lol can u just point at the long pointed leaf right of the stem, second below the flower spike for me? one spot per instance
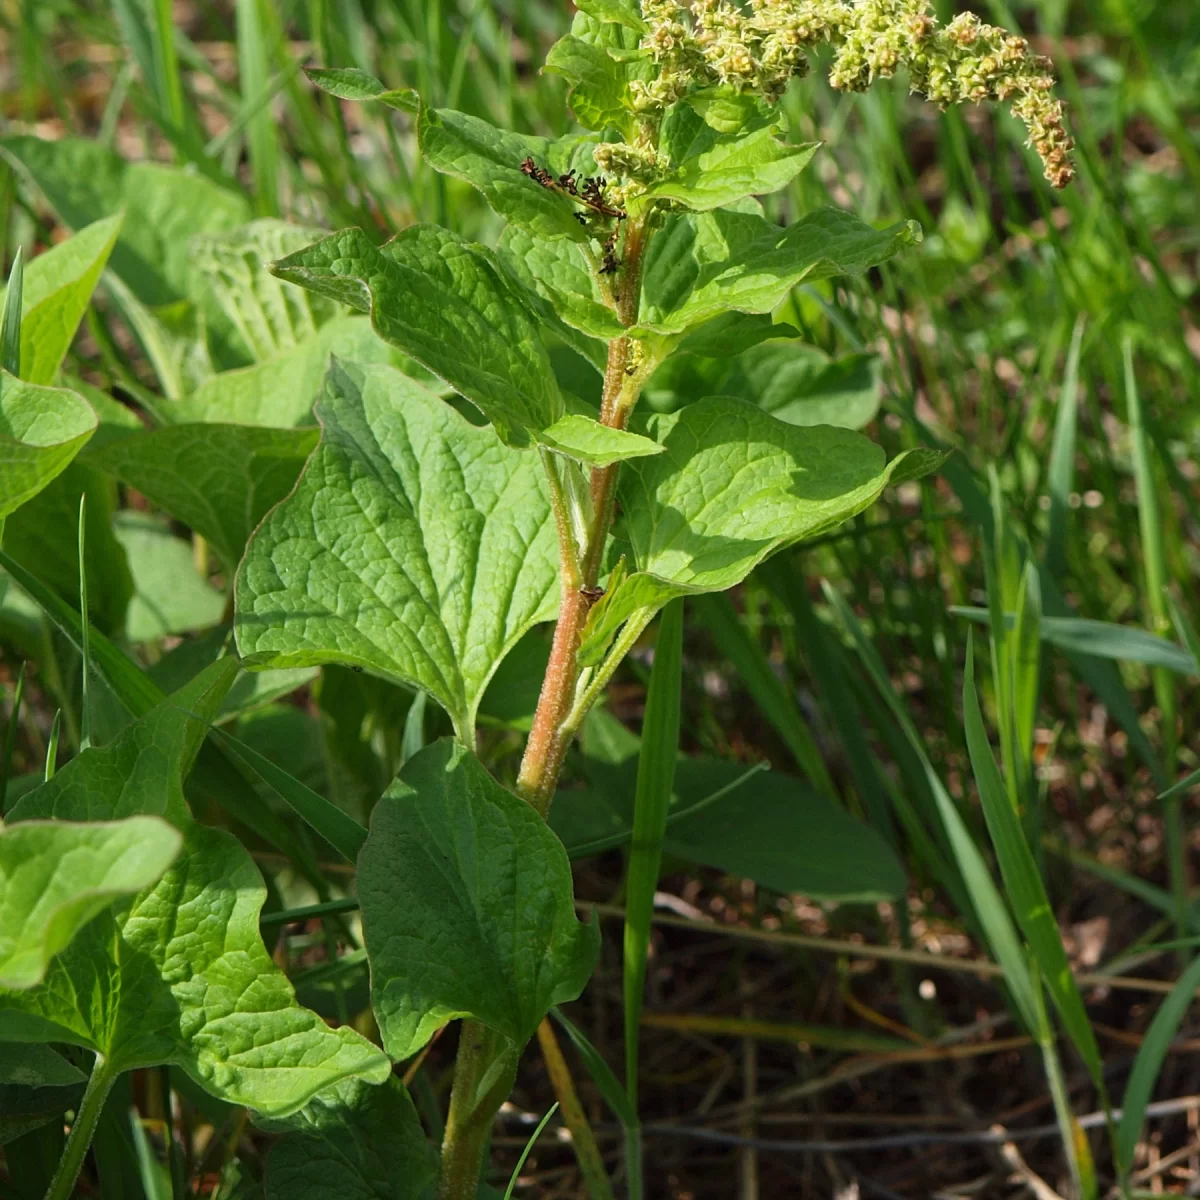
(704, 265)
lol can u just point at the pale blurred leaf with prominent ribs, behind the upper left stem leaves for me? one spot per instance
(271, 316)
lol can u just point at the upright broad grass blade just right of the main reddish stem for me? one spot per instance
(656, 779)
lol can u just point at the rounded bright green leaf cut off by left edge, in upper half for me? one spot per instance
(41, 431)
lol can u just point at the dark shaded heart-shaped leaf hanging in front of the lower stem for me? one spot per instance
(467, 907)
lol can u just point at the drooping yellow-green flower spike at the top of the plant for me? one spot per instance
(760, 47)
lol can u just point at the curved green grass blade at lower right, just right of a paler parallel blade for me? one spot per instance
(1023, 883)
